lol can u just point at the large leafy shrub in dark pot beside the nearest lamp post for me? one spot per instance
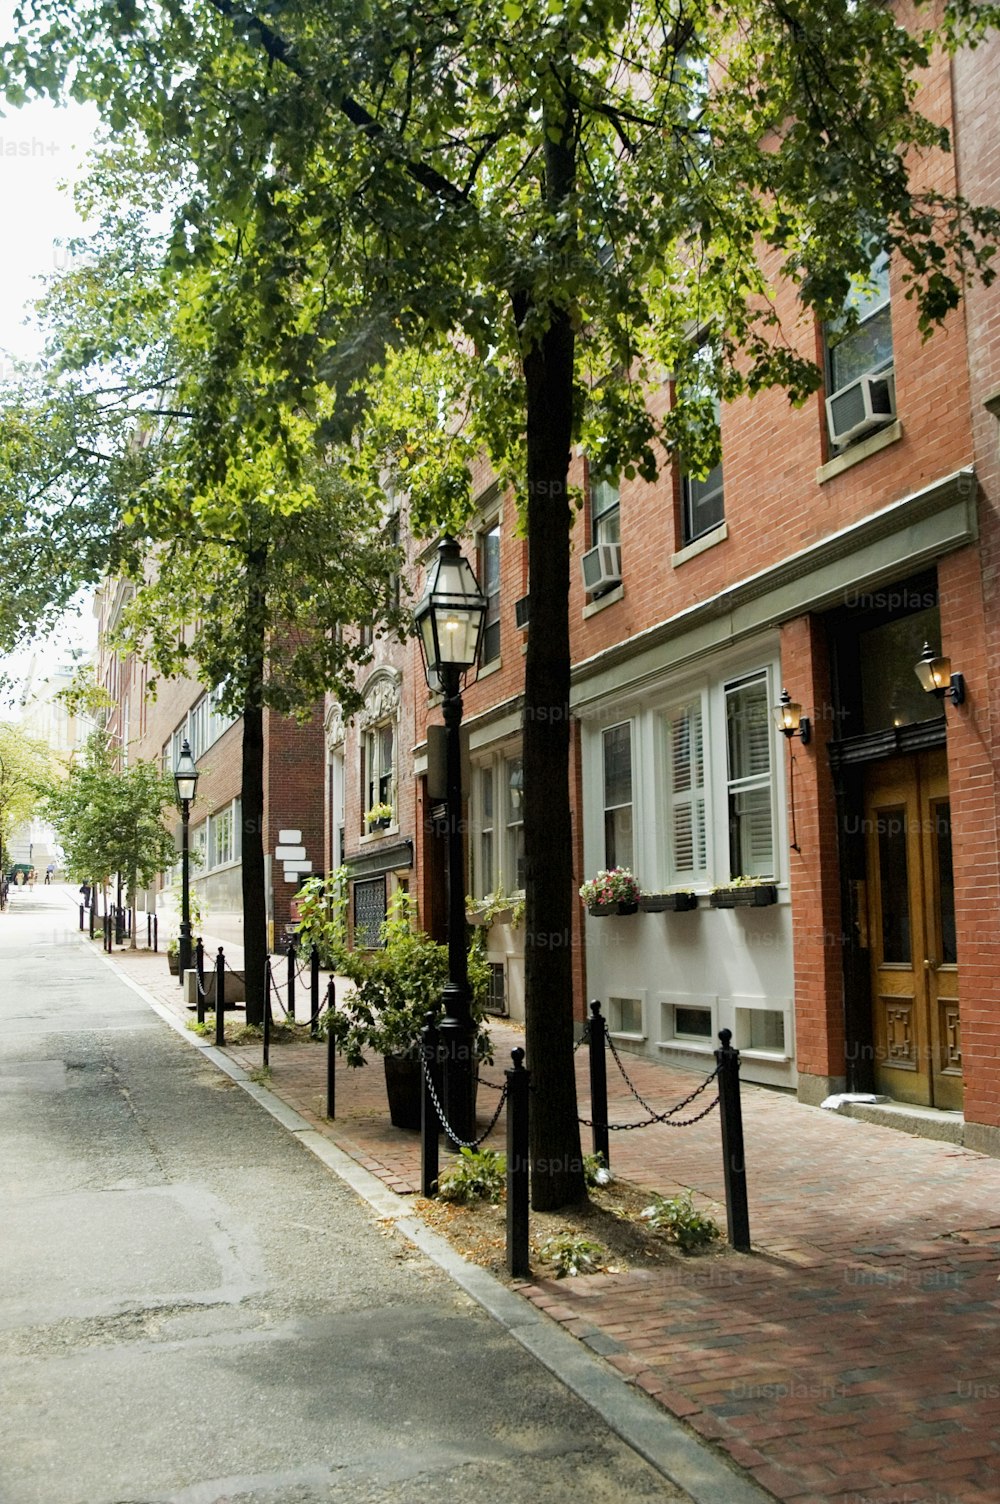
(395, 989)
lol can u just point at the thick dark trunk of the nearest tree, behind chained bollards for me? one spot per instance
(557, 1168)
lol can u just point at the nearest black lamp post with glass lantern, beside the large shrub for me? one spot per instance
(450, 620)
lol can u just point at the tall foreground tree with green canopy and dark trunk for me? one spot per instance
(563, 195)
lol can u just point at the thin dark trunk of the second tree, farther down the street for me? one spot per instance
(253, 863)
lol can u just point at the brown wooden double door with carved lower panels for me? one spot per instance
(912, 932)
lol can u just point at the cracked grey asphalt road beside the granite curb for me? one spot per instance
(193, 1309)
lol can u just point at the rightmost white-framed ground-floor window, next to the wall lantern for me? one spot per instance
(750, 778)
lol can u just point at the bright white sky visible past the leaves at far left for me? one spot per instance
(43, 150)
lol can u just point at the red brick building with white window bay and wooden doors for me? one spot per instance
(831, 547)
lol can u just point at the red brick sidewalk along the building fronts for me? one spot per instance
(853, 1359)
